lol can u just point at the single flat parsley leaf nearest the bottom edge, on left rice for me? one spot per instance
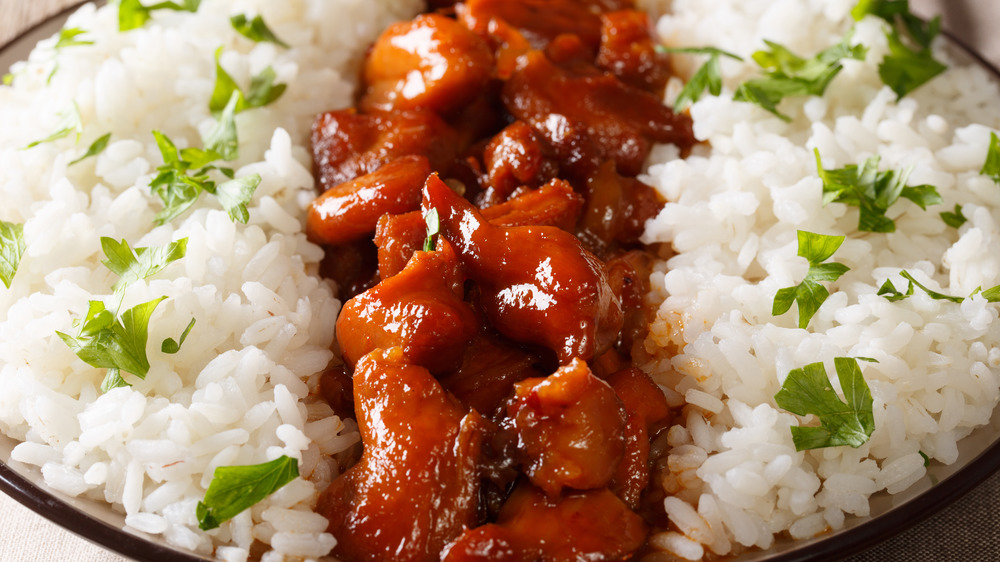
(236, 488)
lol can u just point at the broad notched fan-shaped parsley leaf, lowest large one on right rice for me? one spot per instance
(808, 391)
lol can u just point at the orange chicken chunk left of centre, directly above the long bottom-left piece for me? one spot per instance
(420, 310)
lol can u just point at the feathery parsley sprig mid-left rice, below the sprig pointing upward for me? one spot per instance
(184, 175)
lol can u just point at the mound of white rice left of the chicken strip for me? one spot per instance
(236, 392)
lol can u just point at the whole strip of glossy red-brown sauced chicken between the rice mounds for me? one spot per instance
(481, 218)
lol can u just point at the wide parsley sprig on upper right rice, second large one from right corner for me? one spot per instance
(788, 74)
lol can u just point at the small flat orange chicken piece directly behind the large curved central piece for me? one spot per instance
(553, 204)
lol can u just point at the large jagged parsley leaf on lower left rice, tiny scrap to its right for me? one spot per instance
(105, 342)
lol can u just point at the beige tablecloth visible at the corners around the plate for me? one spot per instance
(968, 530)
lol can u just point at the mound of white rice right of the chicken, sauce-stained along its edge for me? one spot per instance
(737, 478)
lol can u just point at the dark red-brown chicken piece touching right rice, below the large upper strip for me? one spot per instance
(617, 210)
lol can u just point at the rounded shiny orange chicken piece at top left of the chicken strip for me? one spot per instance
(431, 62)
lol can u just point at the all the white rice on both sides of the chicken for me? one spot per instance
(237, 393)
